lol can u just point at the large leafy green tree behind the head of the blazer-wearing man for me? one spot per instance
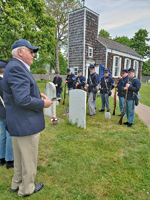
(26, 19)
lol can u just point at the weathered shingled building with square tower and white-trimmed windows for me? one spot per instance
(85, 47)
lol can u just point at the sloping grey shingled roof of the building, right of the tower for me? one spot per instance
(111, 44)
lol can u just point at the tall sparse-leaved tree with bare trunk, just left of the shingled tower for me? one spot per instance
(59, 9)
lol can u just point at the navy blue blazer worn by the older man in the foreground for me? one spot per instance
(24, 106)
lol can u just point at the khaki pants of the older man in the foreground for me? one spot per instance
(25, 163)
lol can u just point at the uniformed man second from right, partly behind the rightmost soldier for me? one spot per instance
(121, 92)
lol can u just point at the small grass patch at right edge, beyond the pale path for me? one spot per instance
(145, 94)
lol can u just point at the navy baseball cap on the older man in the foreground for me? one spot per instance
(26, 43)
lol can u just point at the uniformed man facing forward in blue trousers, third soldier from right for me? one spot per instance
(107, 84)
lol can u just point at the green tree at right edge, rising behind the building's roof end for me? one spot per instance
(139, 43)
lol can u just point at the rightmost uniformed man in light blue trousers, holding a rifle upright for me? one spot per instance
(133, 87)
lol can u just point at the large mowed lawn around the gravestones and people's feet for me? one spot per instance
(105, 161)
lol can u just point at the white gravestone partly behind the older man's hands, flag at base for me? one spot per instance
(50, 92)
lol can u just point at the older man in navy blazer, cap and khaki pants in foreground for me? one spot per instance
(24, 116)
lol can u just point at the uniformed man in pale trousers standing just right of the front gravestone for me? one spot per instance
(92, 82)
